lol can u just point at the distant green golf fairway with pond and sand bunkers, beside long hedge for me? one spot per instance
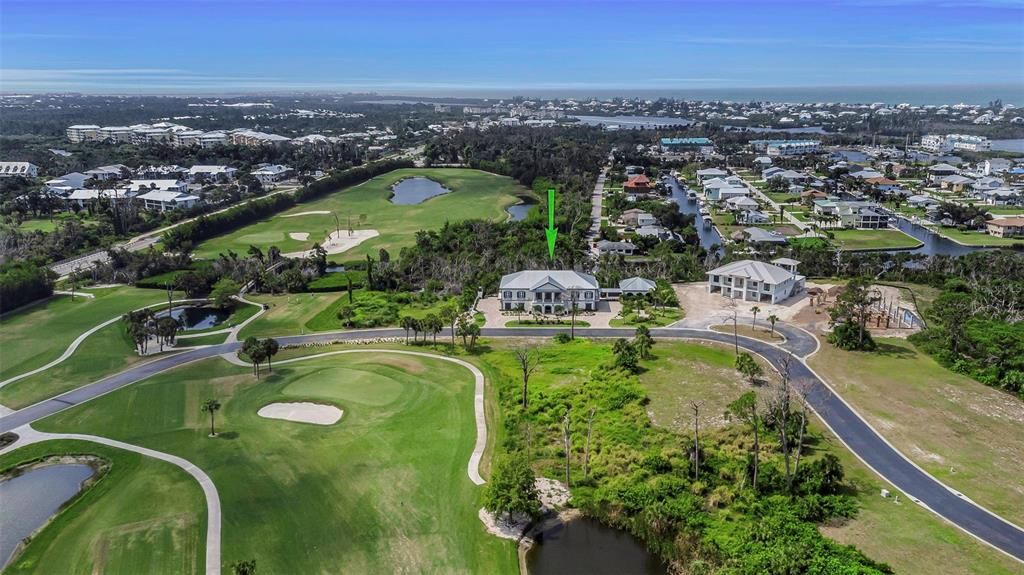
(475, 195)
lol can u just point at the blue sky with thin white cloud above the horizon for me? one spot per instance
(146, 47)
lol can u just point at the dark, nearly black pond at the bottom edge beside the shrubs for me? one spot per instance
(584, 546)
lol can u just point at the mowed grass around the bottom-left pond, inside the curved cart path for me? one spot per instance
(144, 516)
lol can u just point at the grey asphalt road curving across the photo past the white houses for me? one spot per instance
(854, 431)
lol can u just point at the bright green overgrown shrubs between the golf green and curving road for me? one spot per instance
(743, 500)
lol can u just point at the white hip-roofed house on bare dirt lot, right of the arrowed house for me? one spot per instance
(757, 282)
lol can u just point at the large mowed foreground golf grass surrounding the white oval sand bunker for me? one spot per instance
(385, 491)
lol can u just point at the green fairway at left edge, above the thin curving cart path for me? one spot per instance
(40, 334)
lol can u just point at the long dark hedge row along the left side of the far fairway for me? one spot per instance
(206, 228)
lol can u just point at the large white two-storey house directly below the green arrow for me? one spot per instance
(548, 291)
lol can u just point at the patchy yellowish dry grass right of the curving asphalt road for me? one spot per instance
(964, 433)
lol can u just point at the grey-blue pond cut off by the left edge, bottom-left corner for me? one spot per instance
(31, 499)
